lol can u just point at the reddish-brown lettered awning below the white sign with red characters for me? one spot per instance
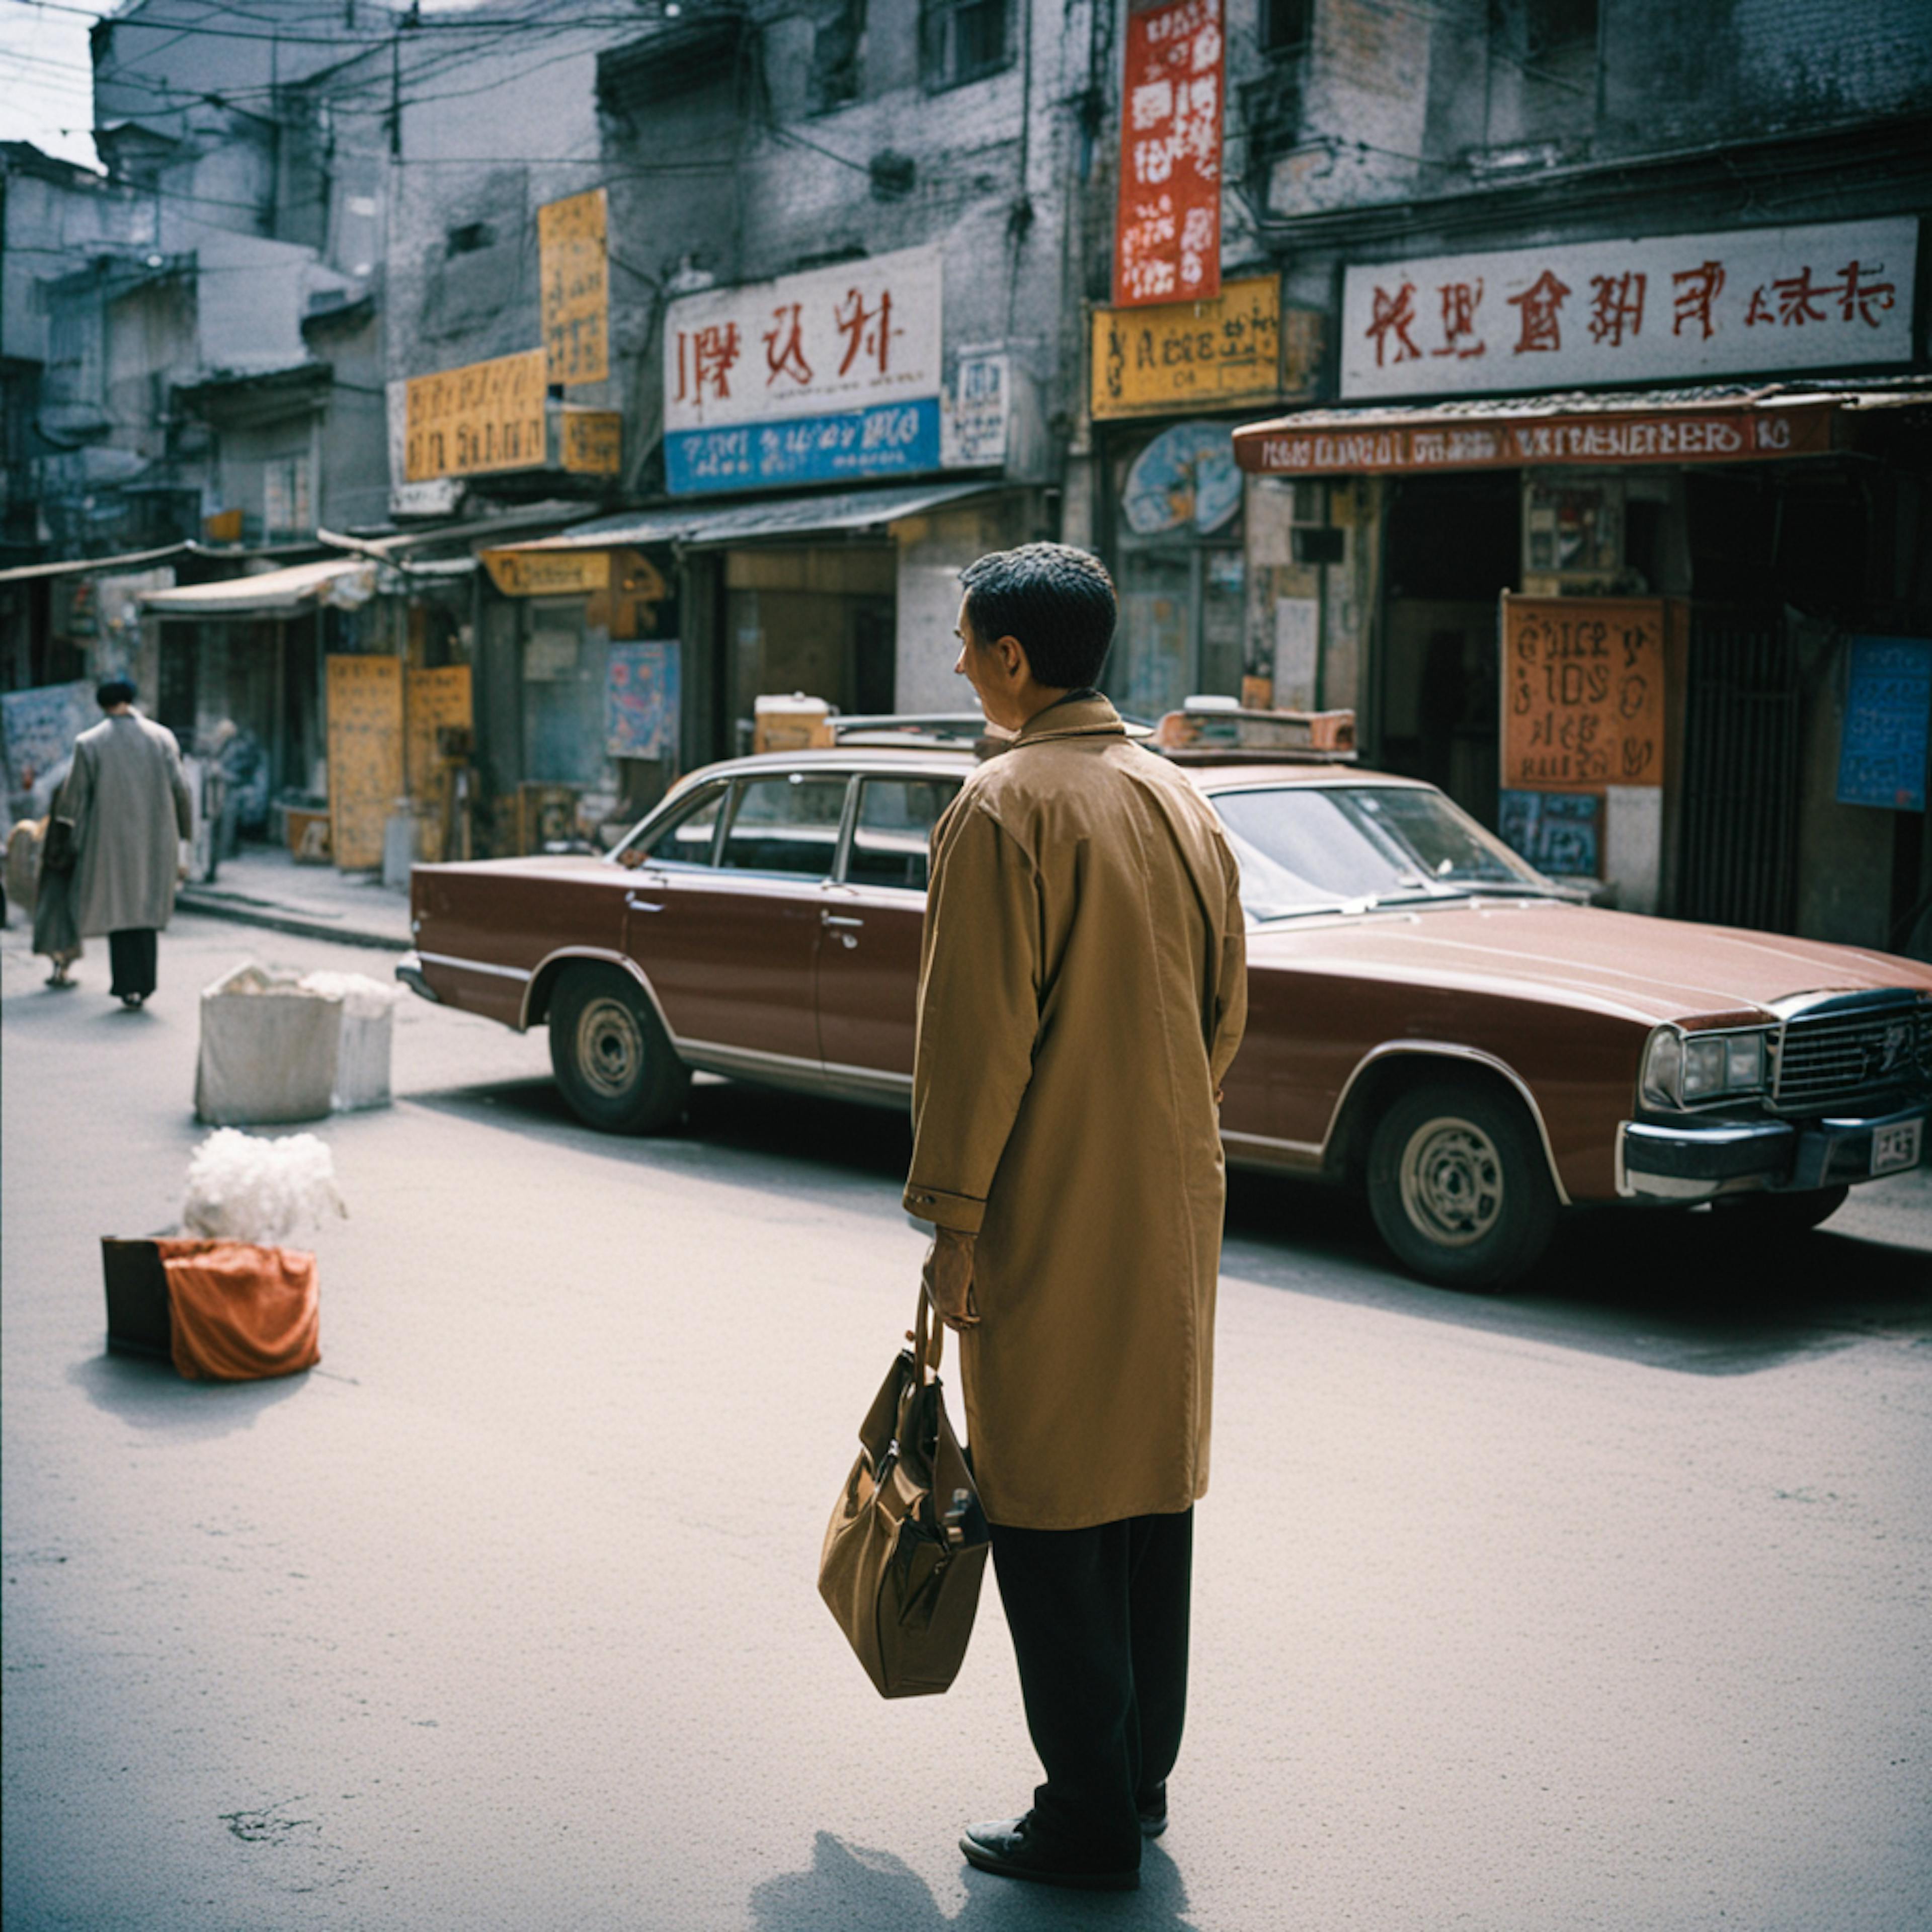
(1659, 428)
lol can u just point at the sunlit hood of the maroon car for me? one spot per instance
(1624, 963)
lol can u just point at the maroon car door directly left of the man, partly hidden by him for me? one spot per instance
(872, 917)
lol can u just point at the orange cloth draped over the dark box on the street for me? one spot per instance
(239, 1313)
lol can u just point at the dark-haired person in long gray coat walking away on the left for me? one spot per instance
(130, 807)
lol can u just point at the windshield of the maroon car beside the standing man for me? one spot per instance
(1319, 847)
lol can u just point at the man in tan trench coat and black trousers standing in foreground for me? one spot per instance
(1083, 990)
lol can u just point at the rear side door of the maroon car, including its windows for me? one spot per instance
(729, 928)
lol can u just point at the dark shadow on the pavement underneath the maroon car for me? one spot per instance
(1662, 1288)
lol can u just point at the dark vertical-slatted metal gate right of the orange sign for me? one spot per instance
(1740, 841)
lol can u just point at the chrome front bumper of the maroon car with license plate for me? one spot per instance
(1695, 1164)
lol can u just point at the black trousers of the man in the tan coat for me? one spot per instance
(1100, 1626)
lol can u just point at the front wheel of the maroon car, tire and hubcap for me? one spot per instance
(1460, 1185)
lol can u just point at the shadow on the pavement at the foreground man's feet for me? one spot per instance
(855, 1890)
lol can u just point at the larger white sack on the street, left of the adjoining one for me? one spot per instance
(270, 1050)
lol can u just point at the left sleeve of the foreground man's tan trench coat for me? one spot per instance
(979, 1017)
